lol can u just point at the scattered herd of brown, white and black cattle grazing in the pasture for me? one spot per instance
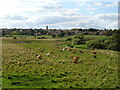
(75, 59)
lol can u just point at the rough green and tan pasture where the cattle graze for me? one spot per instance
(21, 68)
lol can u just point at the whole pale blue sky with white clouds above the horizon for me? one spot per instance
(59, 14)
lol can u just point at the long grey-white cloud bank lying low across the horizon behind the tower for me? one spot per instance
(96, 21)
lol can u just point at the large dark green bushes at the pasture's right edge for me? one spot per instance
(103, 43)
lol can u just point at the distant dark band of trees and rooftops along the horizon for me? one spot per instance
(55, 32)
